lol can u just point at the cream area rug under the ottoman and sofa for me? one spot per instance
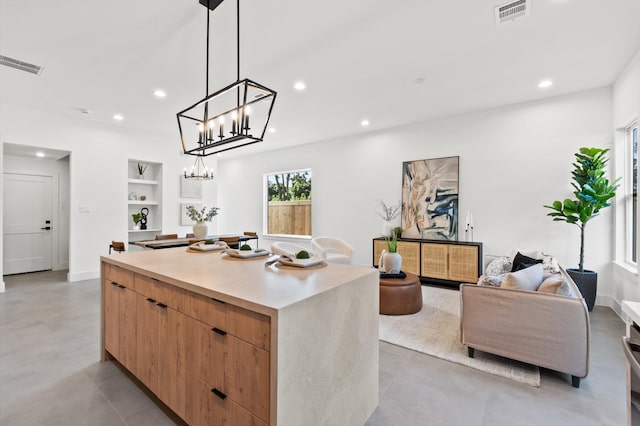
(435, 331)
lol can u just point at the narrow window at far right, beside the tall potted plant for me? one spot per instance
(631, 191)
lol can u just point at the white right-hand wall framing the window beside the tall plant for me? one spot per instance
(626, 108)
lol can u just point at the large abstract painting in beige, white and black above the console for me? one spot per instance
(430, 199)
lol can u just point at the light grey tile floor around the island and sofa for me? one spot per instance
(50, 373)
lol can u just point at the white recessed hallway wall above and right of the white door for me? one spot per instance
(60, 222)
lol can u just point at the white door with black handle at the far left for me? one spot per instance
(27, 215)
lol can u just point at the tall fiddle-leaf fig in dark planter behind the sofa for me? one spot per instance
(592, 193)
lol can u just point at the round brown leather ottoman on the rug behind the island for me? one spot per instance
(400, 296)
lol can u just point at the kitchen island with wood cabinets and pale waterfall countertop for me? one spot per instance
(220, 339)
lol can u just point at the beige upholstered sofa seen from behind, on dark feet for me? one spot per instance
(547, 330)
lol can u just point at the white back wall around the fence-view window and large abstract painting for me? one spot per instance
(513, 160)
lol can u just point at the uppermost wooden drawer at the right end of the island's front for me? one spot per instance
(242, 323)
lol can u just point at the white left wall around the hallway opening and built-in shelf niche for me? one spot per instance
(98, 178)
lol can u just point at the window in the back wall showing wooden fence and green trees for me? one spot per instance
(288, 203)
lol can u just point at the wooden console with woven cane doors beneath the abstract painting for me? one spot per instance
(440, 261)
